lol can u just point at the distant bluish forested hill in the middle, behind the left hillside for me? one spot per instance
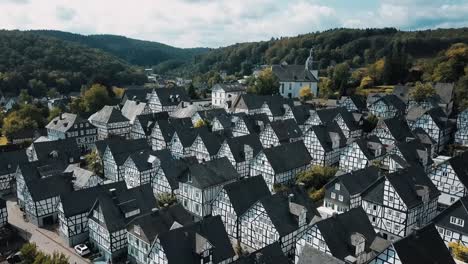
(138, 52)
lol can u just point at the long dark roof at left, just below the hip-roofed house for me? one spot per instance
(64, 150)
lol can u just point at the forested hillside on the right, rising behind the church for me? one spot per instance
(355, 46)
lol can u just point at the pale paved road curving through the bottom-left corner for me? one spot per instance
(46, 240)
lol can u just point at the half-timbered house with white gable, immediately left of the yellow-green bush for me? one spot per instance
(281, 164)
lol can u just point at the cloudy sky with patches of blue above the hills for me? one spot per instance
(214, 23)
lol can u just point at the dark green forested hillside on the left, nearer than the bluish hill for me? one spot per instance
(38, 63)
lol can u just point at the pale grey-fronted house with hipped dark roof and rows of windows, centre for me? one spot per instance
(201, 183)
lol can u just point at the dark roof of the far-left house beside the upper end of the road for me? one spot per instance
(52, 186)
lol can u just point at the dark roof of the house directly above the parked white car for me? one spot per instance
(81, 201)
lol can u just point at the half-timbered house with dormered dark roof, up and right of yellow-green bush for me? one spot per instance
(362, 153)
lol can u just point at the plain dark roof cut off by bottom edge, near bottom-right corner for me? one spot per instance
(423, 246)
